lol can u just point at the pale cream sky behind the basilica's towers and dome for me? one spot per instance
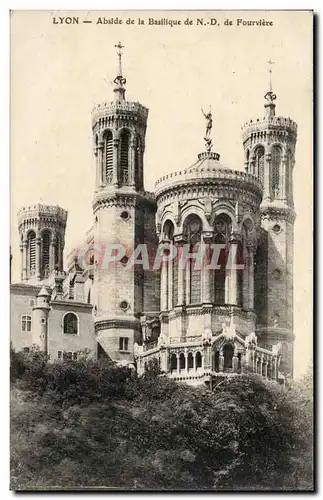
(60, 71)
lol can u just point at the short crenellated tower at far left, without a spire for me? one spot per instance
(42, 236)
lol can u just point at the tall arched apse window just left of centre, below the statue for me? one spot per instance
(193, 232)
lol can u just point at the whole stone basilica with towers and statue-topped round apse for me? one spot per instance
(196, 322)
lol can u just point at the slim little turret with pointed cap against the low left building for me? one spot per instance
(40, 323)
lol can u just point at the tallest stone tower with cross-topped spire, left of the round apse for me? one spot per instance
(124, 215)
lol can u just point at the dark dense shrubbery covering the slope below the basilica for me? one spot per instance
(88, 424)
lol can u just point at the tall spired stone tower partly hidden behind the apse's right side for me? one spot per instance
(269, 149)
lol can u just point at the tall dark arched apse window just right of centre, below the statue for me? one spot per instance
(222, 228)
